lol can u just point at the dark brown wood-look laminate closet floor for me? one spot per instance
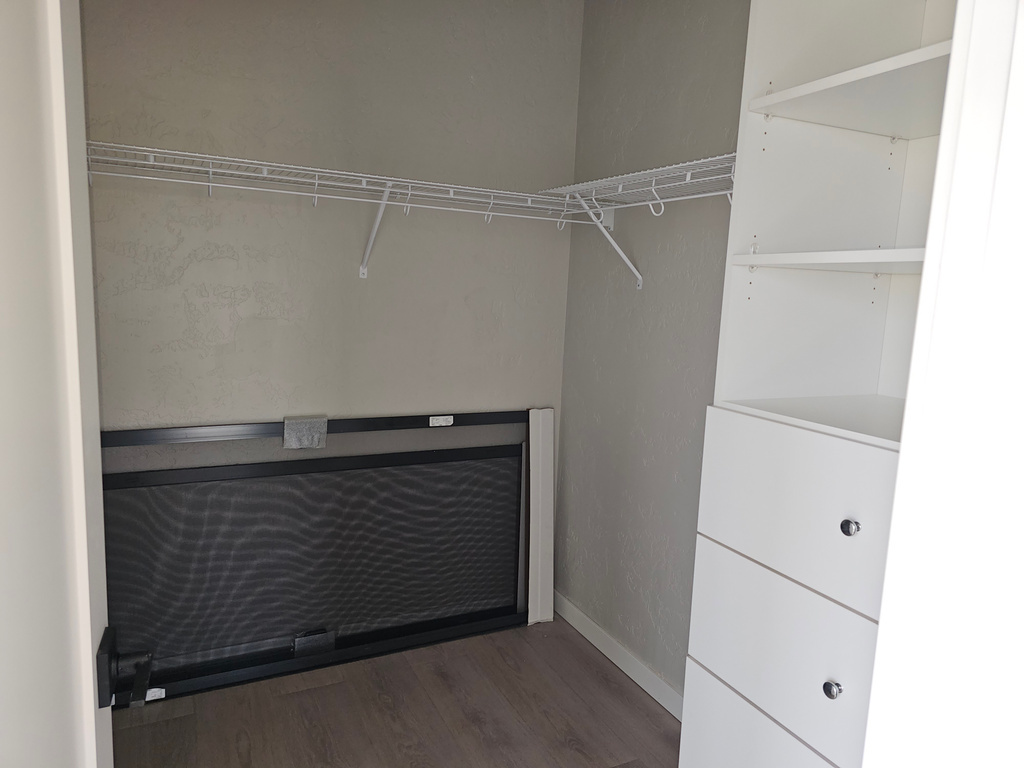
(526, 698)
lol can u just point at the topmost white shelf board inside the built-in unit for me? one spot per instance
(899, 97)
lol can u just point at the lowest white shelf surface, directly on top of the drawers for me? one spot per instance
(875, 419)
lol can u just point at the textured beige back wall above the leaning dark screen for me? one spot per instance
(249, 308)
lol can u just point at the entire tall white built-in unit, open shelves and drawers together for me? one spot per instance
(836, 161)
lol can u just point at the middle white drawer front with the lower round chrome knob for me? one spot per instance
(778, 644)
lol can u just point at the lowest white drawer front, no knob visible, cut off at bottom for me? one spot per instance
(721, 731)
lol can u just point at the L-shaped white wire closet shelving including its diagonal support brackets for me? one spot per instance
(591, 203)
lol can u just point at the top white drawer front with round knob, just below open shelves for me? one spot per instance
(780, 494)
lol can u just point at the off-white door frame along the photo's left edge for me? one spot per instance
(53, 586)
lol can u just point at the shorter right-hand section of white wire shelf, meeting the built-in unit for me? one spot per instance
(698, 179)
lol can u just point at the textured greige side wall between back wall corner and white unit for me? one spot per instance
(661, 84)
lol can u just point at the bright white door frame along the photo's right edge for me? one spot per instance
(949, 673)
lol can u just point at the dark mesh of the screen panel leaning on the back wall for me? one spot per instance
(197, 569)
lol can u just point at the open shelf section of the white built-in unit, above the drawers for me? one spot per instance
(827, 243)
